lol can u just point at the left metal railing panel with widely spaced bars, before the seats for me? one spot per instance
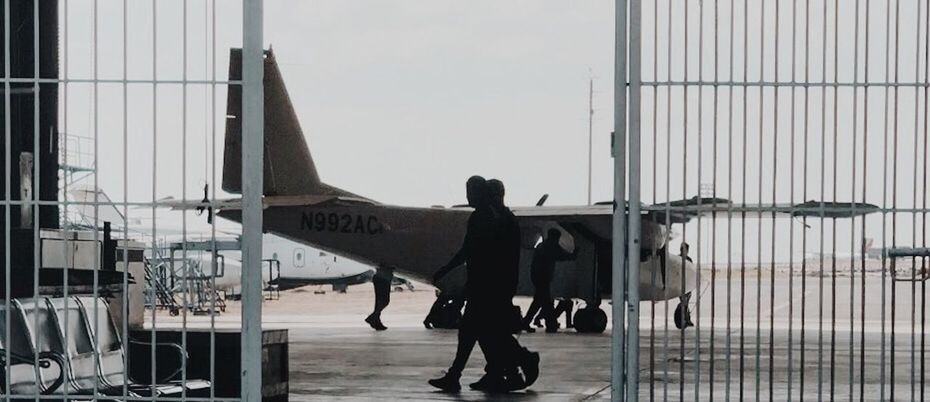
(104, 71)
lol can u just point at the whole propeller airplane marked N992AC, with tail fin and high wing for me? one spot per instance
(415, 241)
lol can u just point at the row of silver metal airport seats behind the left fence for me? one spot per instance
(62, 331)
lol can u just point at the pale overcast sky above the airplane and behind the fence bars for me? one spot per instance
(402, 100)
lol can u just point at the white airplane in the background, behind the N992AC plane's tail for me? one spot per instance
(289, 264)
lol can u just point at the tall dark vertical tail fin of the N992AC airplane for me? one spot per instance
(288, 166)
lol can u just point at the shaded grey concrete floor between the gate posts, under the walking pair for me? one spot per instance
(332, 365)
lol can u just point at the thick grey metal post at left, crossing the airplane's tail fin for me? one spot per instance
(252, 168)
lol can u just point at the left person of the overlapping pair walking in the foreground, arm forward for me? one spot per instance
(476, 254)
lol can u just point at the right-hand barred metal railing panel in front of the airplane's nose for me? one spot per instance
(771, 105)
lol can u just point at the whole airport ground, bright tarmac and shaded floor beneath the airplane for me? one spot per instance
(757, 354)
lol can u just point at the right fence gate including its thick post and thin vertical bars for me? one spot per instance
(899, 21)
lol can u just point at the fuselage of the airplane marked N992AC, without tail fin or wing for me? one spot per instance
(417, 241)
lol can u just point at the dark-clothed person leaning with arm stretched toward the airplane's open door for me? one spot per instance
(542, 268)
